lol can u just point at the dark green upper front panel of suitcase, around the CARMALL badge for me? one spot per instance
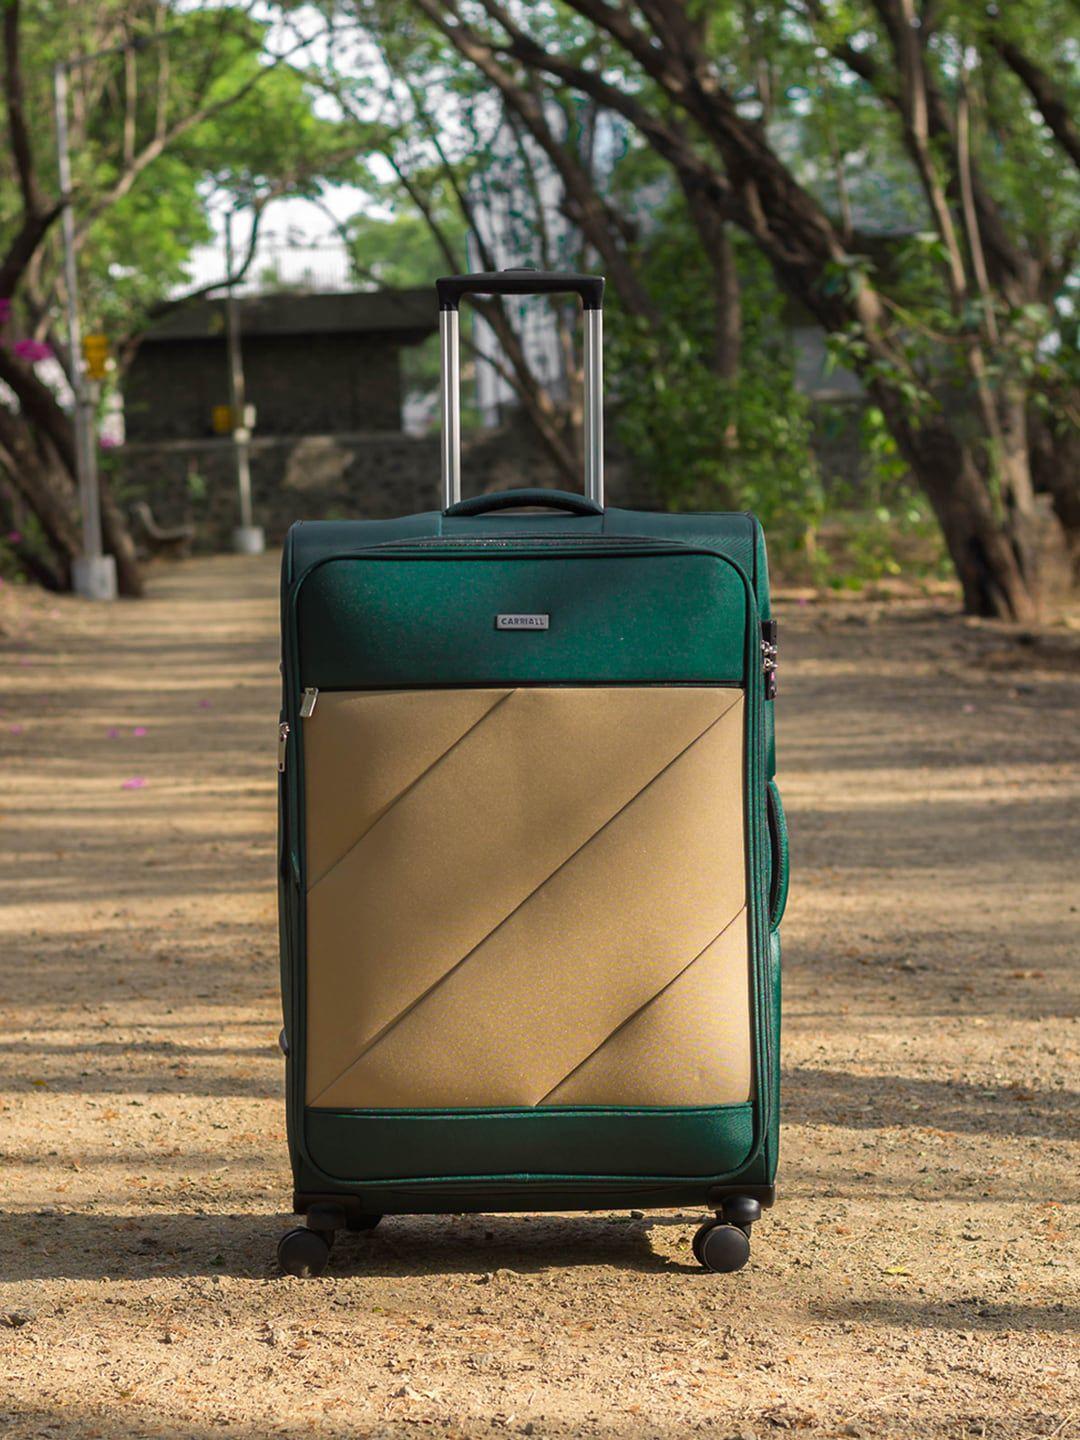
(431, 621)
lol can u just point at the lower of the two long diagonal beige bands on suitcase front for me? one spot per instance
(595, 941)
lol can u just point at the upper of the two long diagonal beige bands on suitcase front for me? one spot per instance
(467, 846)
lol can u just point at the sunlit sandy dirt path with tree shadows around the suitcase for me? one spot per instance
(919, 1277)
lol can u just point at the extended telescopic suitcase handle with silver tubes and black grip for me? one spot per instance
(450, 290)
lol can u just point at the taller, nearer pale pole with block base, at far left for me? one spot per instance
(93, 572)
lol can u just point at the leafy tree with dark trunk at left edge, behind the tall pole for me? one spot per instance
(204, 99)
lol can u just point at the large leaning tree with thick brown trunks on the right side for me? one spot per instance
(954, 326)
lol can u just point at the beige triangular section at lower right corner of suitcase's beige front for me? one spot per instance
(688, 1046)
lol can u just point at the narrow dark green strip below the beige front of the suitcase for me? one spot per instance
(371, 1146)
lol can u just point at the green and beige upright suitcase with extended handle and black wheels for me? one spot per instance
(532, 855)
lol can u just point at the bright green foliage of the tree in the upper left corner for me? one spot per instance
(258, 132)
